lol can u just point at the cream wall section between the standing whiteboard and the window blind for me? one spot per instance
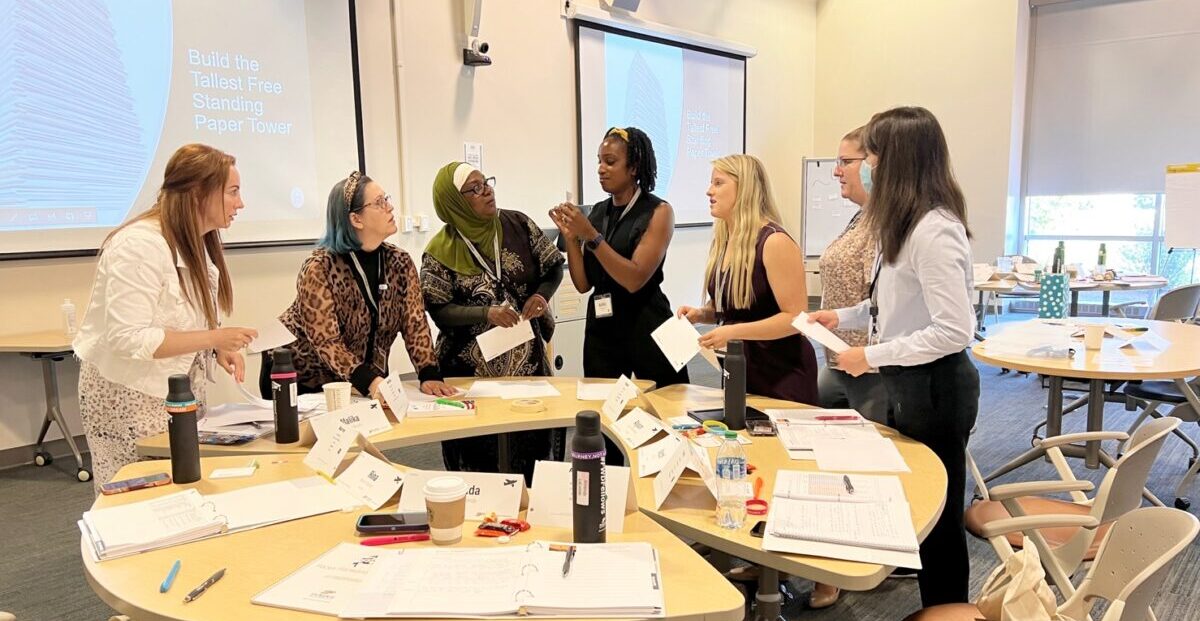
(961, 59)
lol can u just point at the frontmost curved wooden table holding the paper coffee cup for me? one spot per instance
(257, 559)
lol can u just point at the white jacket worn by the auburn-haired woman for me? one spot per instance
(135, 302)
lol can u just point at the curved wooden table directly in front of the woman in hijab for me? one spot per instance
(491, 417)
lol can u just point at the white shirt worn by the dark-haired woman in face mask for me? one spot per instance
(925, 298)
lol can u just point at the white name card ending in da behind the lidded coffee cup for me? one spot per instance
(487, 492)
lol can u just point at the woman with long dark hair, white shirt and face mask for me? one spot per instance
(920, 317)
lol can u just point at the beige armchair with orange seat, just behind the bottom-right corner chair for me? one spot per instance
(1066, 547)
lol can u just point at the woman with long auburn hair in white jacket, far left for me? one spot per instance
(161, 284)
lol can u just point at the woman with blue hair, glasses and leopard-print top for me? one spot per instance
(355, 296)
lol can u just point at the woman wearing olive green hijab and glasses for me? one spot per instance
(489, 268)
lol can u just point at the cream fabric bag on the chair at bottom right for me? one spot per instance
(1018, 592)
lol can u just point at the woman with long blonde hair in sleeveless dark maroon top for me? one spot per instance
(755, 284)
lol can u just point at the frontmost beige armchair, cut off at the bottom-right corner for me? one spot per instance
(1130, 569)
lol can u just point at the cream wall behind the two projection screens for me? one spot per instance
(421, 105)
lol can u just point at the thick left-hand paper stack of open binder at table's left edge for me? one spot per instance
(152, 524)
